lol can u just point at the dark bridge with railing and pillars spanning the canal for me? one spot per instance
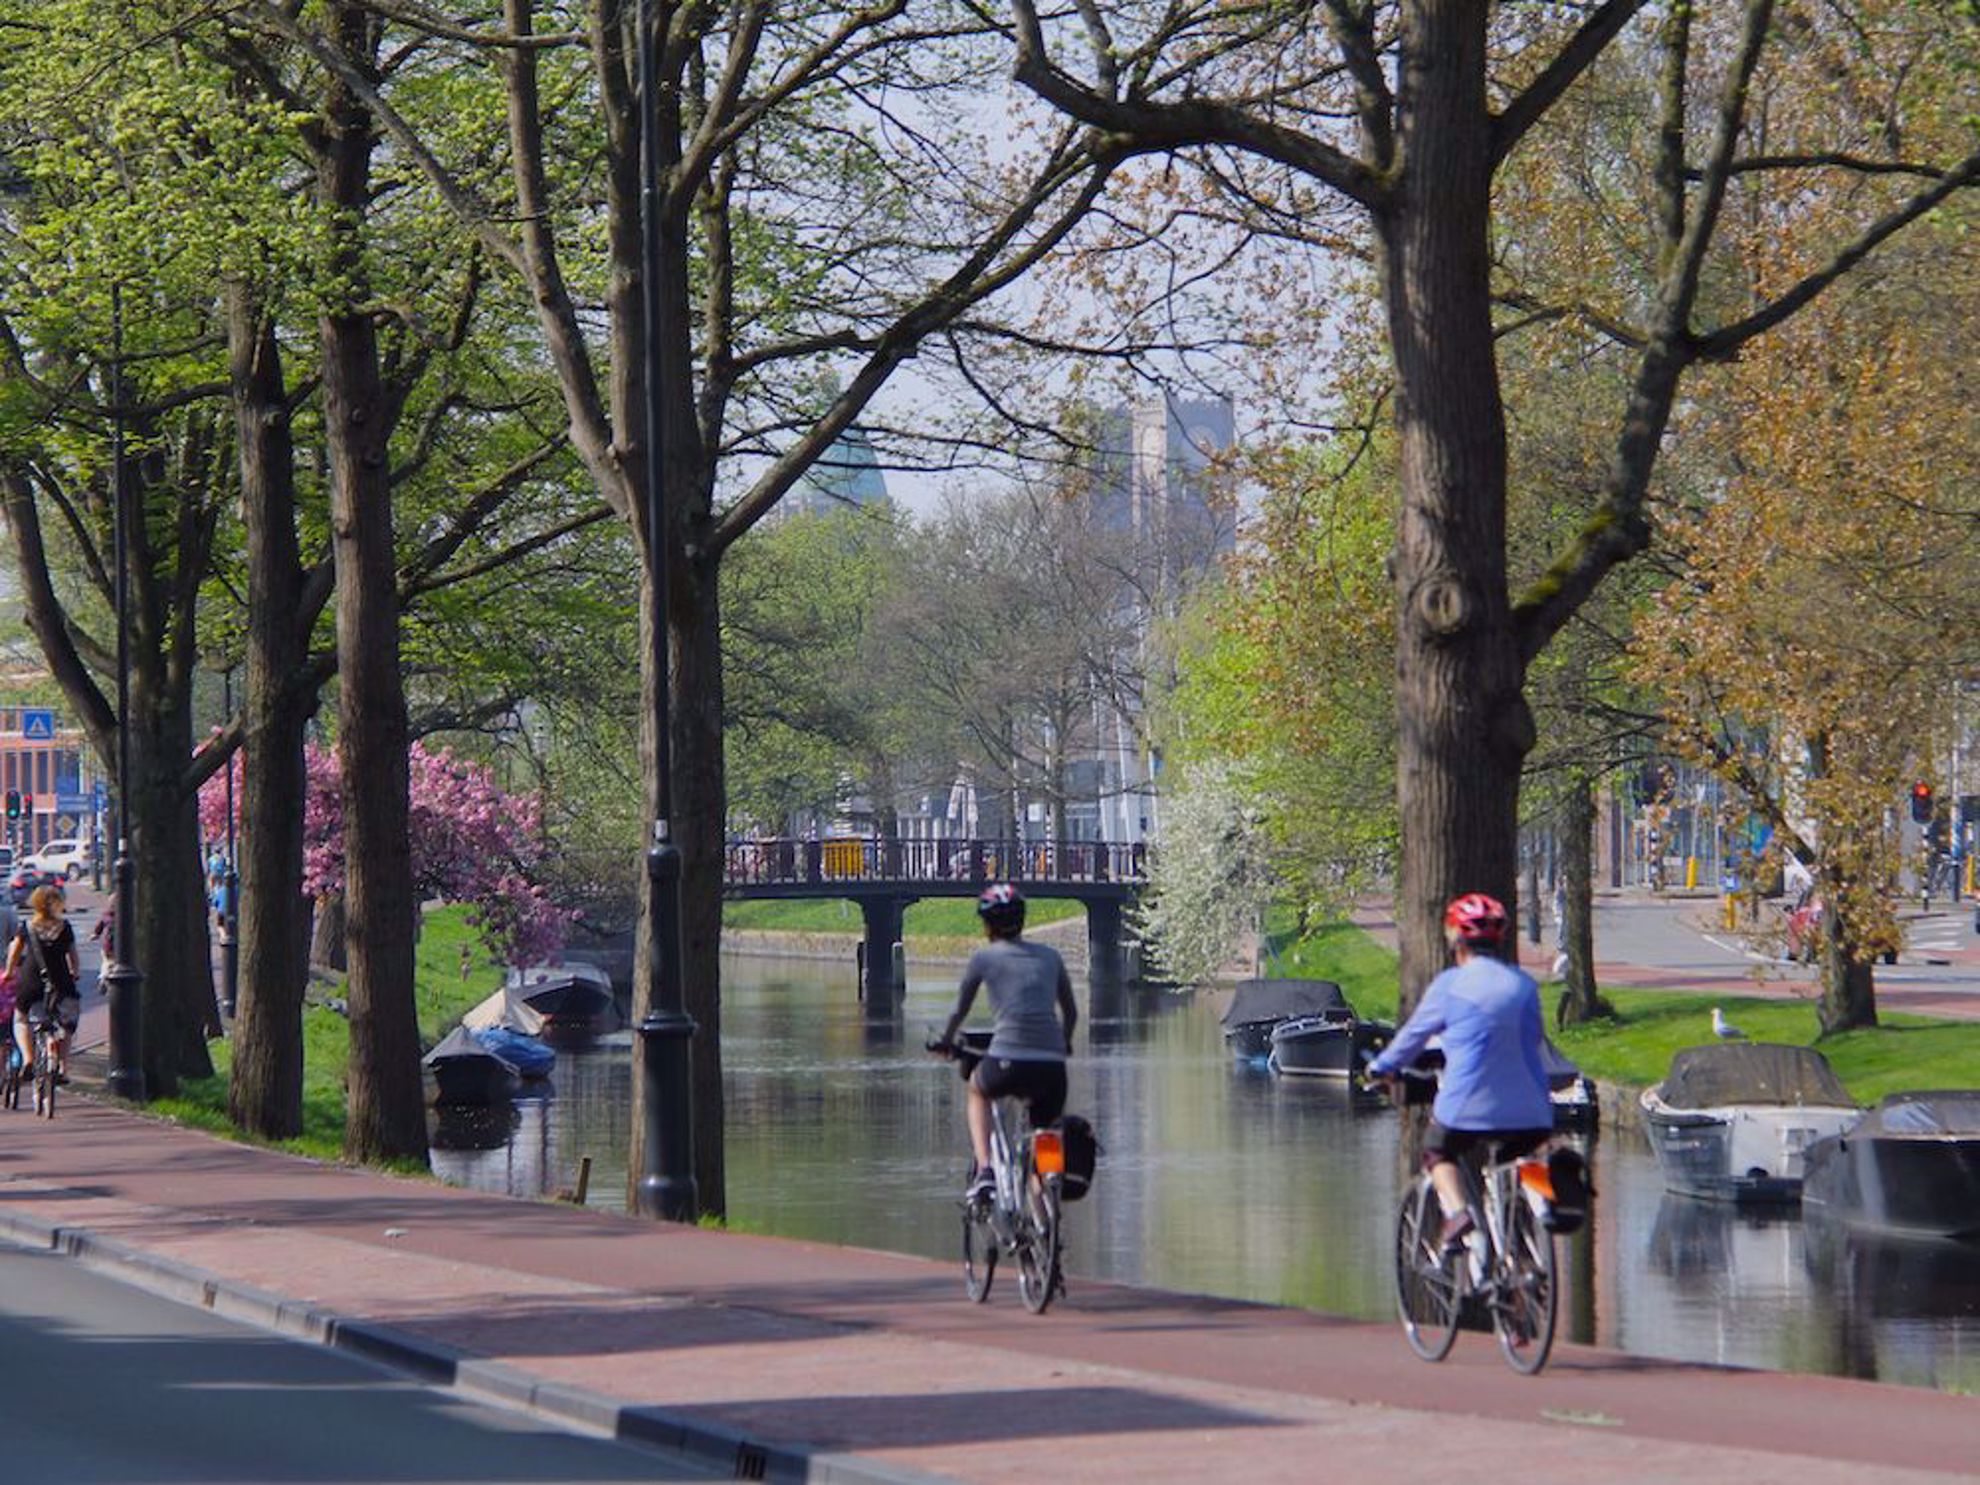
(886, 876)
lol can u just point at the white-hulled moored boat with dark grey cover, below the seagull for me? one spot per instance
(1733, 1122)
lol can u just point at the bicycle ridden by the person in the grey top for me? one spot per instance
(1023, 1213)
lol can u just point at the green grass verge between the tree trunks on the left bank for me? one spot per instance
(443, 997)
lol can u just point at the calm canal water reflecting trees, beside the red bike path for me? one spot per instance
(1221, 1181)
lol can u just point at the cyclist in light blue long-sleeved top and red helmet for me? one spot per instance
(1494, 1084)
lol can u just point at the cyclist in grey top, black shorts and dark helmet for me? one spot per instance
(1035, 1015)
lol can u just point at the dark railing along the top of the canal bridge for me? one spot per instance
(864, 858)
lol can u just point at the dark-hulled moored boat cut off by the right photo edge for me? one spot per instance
(1912, 1165)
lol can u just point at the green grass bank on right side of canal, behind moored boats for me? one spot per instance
(1634, 1048)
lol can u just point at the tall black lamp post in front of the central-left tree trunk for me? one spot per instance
(666, 1185)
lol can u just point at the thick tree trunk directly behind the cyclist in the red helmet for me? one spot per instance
(1464, 728)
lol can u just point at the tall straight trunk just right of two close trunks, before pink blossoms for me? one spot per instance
(387, 1118)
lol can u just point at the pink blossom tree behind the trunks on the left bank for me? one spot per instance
(472, 844)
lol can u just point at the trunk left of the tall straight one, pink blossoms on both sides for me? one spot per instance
(266, 1092)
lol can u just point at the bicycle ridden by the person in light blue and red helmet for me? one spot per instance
(1508, 1262)
